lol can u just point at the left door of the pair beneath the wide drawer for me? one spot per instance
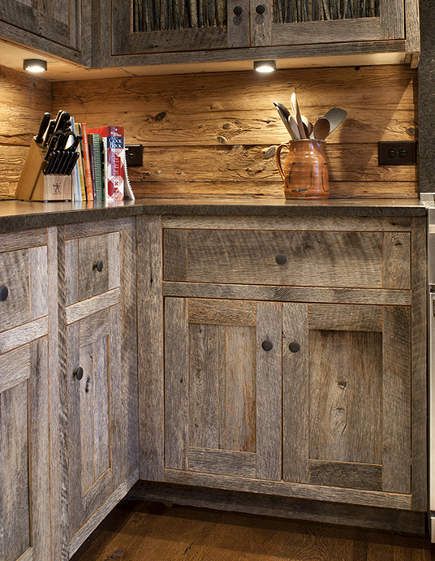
(223, 387)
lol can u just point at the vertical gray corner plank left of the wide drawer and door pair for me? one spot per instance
(150, 364)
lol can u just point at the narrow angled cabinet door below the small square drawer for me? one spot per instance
(96, 411)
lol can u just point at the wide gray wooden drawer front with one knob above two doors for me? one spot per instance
(298, 258)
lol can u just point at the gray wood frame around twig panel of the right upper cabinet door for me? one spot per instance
(389, 25)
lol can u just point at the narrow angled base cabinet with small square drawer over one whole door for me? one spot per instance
(101, 372)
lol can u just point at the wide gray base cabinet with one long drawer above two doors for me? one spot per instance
(293, 356)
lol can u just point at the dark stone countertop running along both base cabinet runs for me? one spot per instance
(16, 215)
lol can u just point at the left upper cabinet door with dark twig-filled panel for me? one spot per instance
(145, 26)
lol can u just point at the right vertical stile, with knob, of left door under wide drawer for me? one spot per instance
(268, 387)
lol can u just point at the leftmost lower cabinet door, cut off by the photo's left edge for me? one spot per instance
(24, 471)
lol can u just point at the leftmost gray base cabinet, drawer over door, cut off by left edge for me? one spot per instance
(24, 398)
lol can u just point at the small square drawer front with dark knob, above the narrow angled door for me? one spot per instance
(92, 266)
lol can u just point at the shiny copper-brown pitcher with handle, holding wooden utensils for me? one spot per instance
(305, 170)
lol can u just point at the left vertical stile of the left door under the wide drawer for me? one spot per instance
(176, 383)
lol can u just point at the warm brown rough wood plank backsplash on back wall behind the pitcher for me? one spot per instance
(209, 134)
